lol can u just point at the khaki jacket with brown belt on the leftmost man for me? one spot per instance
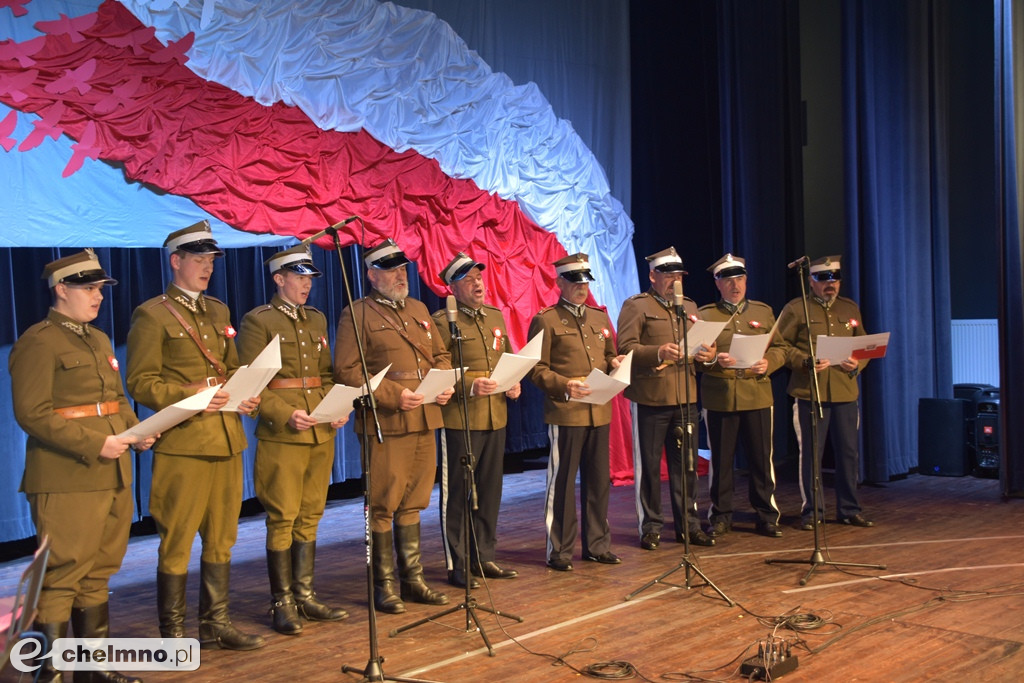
(53, 367)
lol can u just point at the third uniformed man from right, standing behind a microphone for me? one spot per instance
(649, 326)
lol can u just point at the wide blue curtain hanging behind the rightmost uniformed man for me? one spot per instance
(898, 255)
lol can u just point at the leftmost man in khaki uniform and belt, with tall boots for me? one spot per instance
(66, 390)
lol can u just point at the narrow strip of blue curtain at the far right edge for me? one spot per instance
(1009, 156)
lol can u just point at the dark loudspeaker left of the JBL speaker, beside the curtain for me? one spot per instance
(943, 437)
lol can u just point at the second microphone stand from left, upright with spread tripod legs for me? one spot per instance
(470, 604)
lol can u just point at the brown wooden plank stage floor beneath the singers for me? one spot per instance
(950, 605)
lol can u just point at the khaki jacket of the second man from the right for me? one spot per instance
(728, 390)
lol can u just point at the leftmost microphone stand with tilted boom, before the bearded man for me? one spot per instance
(373, 671)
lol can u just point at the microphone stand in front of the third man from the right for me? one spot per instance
(685, 438)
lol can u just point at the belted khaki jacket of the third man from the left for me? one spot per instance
(305, 353)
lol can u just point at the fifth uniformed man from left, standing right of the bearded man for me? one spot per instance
(485, 338)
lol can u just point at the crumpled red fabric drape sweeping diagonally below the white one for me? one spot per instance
(106, 81)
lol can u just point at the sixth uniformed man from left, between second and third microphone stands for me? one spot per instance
(577, 339)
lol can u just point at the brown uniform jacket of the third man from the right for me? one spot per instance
(646, 324)
